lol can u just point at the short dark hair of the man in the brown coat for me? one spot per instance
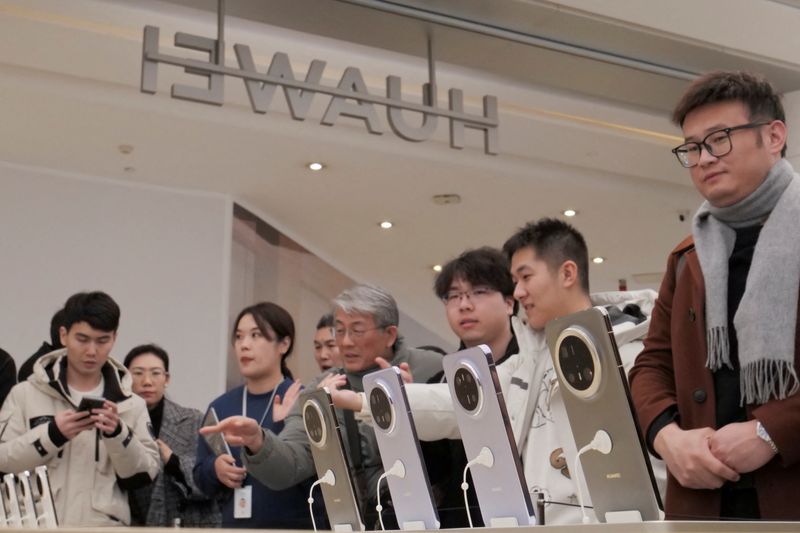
(752, 90)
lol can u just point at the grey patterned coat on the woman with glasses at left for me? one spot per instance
(169, 497)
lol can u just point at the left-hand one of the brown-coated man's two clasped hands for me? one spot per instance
(689, 458)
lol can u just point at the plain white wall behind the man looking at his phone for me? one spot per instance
(162, 254)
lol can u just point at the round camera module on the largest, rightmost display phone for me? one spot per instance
(578, 363)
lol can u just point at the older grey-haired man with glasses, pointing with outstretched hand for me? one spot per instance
(366, 322)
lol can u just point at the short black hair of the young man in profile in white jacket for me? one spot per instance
(554, 242)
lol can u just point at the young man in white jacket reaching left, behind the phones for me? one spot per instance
(549, 264)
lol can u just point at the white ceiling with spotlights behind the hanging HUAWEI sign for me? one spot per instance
(69, 95)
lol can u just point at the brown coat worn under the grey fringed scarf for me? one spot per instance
(671, 371)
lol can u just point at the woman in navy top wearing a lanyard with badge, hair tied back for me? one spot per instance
(263, 338)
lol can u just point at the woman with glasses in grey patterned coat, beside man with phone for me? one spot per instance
(173, 498)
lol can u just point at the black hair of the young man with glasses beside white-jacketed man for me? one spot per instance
(485, 266)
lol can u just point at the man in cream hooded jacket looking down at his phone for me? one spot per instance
(93, 454)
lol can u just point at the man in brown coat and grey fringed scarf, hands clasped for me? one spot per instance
(716, 385)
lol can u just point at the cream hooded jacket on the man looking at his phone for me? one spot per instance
(89, 473)
